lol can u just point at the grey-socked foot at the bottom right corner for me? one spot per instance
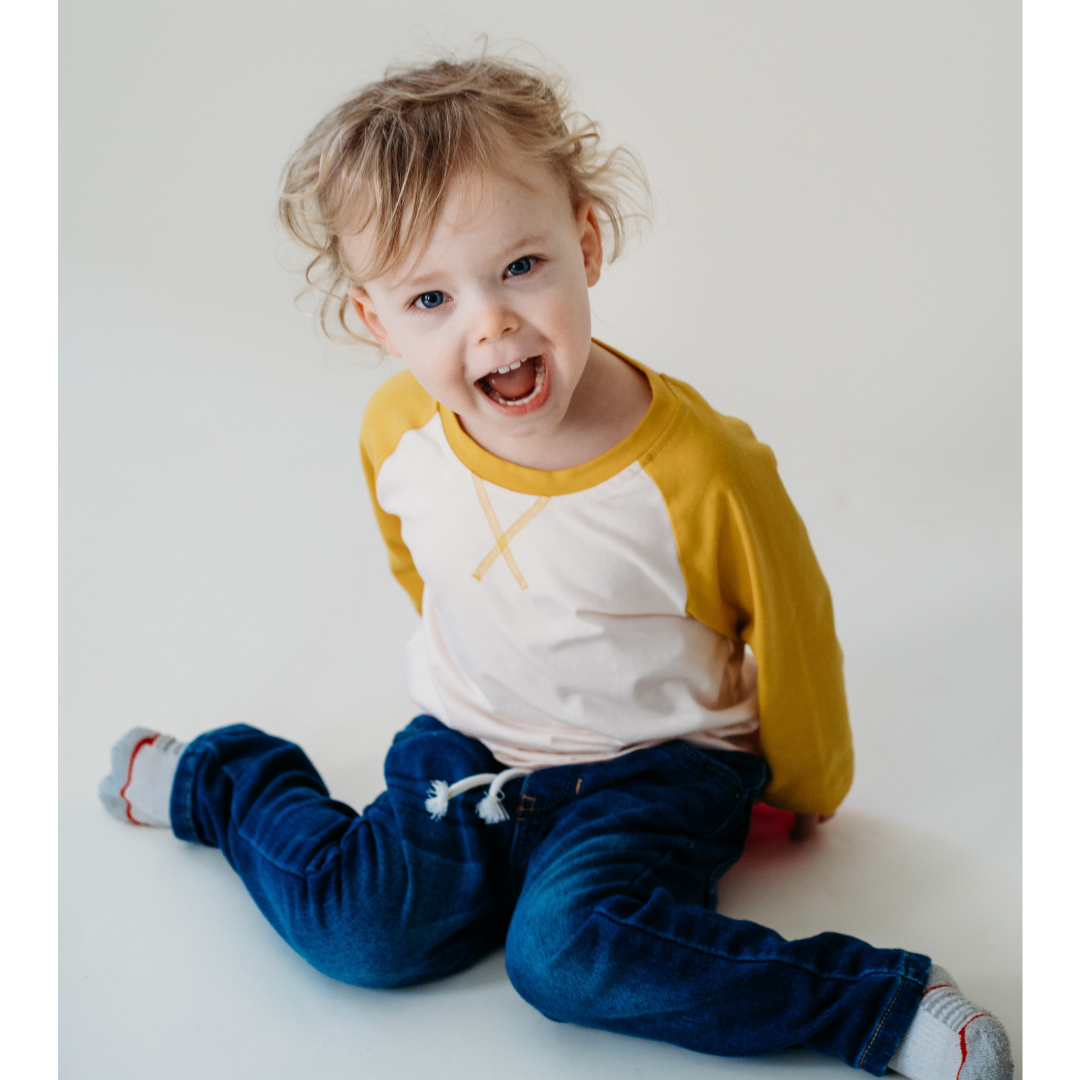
(952, 1039)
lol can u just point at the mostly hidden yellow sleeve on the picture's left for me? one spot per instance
(401, 404)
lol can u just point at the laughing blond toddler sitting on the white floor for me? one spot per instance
(625, 639)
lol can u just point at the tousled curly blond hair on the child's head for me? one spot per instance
(388, 156)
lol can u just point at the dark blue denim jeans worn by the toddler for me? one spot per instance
(600, 886)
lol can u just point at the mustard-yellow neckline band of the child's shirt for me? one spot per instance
(661, 413)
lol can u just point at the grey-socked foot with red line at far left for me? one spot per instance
(141, 786)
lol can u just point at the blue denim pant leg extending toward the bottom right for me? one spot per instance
(615, 927)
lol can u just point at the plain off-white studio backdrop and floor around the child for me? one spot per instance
(835, 260)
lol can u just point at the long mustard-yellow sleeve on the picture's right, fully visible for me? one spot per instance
(752, 576)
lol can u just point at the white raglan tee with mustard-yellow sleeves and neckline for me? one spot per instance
(577, 615)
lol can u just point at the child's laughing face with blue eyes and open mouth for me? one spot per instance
(504, 285)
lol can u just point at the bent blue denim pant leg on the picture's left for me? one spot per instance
(387, 898)
